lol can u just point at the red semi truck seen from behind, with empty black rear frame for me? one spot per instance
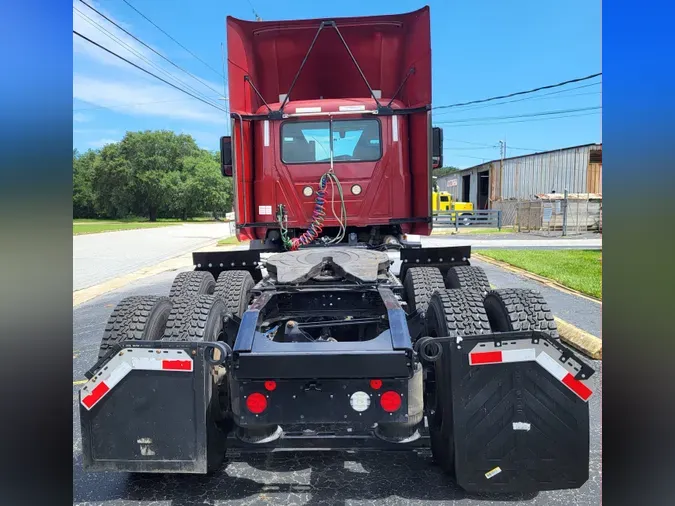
(312, 338)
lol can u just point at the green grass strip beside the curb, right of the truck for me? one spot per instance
(577, 269)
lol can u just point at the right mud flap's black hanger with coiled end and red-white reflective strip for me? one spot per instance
(512, 347)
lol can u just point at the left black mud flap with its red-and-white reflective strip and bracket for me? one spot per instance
(144, 409)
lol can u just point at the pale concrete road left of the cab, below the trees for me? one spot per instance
(101, 257)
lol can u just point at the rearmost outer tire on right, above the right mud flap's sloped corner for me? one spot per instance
(516, 309)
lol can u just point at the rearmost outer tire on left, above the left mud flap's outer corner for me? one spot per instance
(139, 318)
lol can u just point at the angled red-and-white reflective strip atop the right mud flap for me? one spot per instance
(565, 369)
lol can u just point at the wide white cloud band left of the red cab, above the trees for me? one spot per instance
(145, 99)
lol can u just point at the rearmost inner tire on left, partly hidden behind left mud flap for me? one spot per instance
(201, 319)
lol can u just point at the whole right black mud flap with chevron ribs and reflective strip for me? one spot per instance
(520, 413)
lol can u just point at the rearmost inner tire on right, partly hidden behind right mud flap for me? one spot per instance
(451, 313)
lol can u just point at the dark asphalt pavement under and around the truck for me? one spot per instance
(315, 478)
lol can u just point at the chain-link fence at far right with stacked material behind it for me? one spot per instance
(557, 215)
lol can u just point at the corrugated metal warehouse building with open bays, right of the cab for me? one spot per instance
(577, 169)
